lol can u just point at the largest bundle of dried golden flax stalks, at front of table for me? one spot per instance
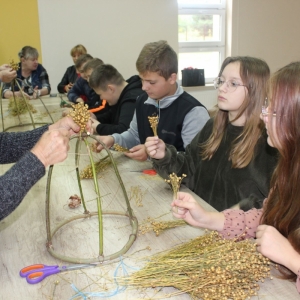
(207, 267)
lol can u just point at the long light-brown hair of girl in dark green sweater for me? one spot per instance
(254, 73)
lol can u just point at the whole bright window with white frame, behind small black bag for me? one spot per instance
(201, 36)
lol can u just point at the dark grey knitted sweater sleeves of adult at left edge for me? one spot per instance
(17, 181)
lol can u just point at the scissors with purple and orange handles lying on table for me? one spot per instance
(36, 273)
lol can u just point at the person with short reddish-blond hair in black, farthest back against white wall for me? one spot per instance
(71, 75)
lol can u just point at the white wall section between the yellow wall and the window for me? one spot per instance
(113, 30)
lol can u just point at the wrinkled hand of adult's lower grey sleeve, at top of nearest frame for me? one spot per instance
(52, 147)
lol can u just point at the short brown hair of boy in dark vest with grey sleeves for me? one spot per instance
(157, 57)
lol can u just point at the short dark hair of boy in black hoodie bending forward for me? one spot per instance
(104, 75)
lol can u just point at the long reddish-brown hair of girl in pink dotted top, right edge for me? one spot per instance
(283, 206)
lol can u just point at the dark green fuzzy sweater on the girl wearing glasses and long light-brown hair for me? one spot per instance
(214, 180)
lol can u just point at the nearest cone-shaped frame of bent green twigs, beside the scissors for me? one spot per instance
(133, 221)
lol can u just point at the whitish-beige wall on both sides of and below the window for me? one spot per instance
(116, 30)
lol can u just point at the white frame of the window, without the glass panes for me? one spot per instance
(204, 8)
